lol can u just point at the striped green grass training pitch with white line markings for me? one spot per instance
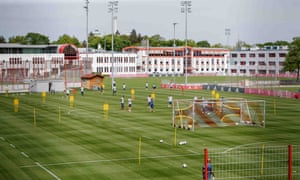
(51, 140)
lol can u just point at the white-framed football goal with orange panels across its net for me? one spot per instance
(190, 114)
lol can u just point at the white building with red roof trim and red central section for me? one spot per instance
(174, 61)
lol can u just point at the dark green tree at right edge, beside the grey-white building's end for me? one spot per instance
(292, 60)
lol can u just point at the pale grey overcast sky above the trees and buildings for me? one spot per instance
(252, 21)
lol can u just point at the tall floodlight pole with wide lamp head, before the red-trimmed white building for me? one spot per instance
(186, 8)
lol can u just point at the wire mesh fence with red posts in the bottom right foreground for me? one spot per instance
(262, 162)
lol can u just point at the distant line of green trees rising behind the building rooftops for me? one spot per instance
(123, 40)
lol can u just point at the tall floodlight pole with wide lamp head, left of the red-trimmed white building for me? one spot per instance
(112, 8)
